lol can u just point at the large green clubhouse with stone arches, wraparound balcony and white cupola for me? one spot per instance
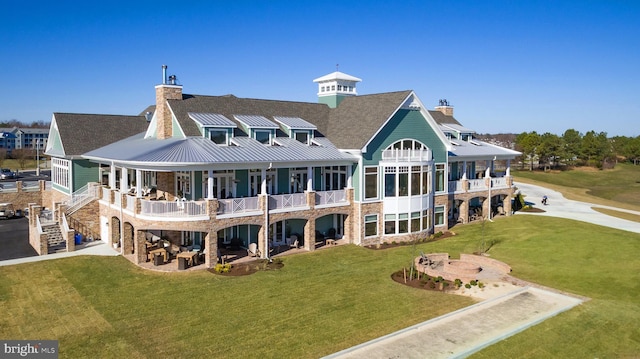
(204, 172)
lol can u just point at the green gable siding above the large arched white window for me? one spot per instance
(405, 124)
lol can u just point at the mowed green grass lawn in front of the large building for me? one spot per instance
(325, 301)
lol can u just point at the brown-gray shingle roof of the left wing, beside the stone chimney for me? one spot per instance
(81, 133)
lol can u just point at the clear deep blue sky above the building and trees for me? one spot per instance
(505, 66)
